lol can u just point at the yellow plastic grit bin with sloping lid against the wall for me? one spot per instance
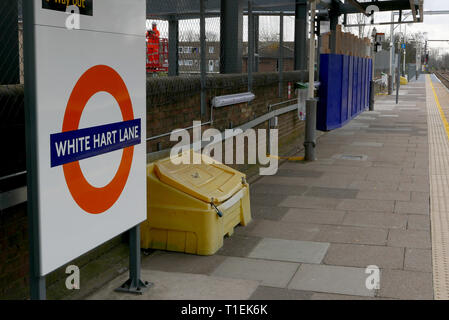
(185, 202)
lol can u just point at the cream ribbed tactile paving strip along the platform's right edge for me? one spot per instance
(438, 129)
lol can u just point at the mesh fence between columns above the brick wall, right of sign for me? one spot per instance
(266, 29)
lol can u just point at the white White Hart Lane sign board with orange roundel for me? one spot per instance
(91, 124)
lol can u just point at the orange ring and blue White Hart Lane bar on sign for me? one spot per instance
(90, 142)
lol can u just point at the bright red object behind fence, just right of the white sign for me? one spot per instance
(157, 51)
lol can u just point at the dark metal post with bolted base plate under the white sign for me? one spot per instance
(134, 284)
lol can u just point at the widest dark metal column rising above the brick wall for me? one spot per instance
(231, 36)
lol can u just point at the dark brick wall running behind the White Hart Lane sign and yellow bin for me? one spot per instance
(172, 102)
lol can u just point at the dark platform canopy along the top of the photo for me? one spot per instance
(157, 8)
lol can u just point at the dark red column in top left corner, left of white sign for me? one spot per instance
(9, 38)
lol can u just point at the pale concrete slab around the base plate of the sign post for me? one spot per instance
(181, 286)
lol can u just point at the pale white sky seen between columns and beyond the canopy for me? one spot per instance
(436, 26)
